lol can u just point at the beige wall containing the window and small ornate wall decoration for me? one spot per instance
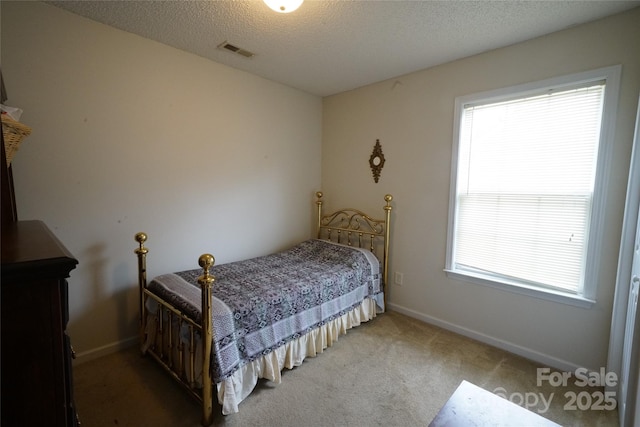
(412, 116)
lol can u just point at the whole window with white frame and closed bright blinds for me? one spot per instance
(527, 196)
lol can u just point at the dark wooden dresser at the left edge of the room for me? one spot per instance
(37, 385)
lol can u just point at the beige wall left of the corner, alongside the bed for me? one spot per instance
(131, 135)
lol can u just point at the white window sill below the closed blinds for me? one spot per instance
(545, 294)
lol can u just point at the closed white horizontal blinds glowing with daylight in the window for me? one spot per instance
(525, 183)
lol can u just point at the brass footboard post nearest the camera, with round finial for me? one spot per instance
(206, 261)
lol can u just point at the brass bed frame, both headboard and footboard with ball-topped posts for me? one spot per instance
(347, 226)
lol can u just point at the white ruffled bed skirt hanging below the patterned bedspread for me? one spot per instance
(236, 388)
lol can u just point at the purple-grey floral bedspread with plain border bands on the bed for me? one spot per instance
(262, 303)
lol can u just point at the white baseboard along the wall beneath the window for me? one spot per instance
(525, 352)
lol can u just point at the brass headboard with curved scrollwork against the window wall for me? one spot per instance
(355, 228)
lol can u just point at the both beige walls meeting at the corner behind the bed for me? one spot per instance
(132, 135)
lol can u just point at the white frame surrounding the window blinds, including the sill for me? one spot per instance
(611, 76)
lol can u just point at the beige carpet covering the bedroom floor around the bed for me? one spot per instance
(392, 371)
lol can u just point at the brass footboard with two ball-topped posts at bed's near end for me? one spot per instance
(168, 323)
